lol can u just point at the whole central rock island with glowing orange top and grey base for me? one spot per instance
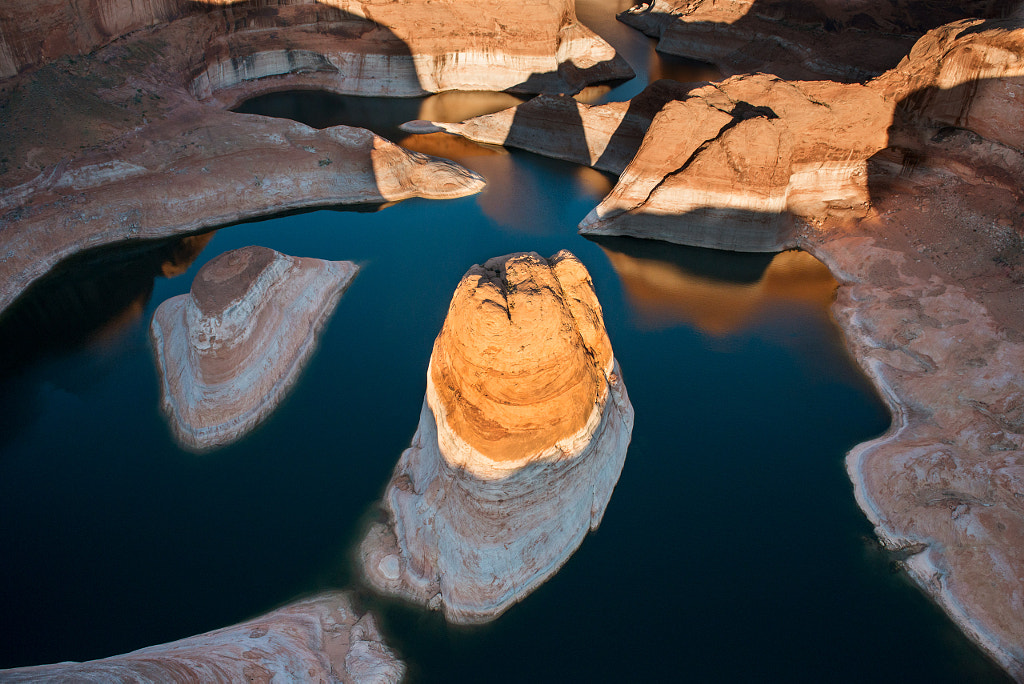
(523, 437)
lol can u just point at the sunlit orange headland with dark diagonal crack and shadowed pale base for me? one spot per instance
(730, 166)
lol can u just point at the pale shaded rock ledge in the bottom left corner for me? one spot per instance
(321, 639)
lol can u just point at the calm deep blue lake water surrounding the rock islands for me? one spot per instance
(733, 549)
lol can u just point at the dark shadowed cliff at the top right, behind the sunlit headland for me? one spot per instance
(808, 39)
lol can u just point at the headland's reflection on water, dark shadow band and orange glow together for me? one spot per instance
(670, 285)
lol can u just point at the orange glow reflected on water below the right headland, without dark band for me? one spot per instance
(665, 293)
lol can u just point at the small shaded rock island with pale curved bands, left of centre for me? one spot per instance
(231, 350)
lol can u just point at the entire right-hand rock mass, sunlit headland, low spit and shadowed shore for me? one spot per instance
(909, 189)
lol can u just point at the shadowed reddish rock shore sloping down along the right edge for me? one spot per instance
(931, 306)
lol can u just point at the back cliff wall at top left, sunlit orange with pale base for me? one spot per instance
(355, 47)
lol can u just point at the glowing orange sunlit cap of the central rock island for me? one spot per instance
(520, 366)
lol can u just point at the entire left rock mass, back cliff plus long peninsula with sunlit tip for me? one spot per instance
(114, 121)
